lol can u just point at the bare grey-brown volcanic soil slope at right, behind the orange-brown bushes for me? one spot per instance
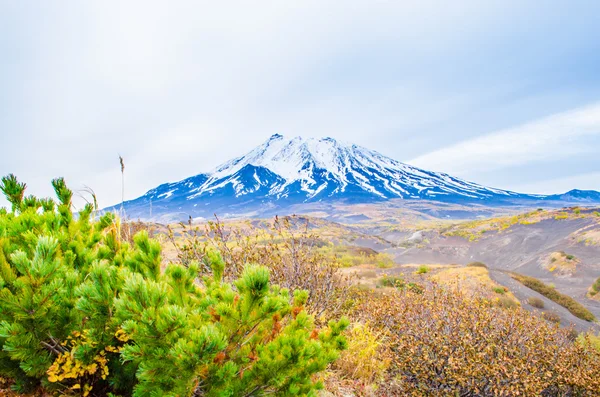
(521, 249)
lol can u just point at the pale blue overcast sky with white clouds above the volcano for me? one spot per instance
(503, 93)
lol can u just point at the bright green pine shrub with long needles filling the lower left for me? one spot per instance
(85, 312)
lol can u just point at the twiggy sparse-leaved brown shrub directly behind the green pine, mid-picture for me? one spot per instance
(286, 247)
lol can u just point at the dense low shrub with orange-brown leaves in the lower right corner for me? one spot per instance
(446, 343)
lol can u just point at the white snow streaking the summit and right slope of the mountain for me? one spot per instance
(317, 165)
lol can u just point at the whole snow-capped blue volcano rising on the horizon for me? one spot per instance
(284, 171)
